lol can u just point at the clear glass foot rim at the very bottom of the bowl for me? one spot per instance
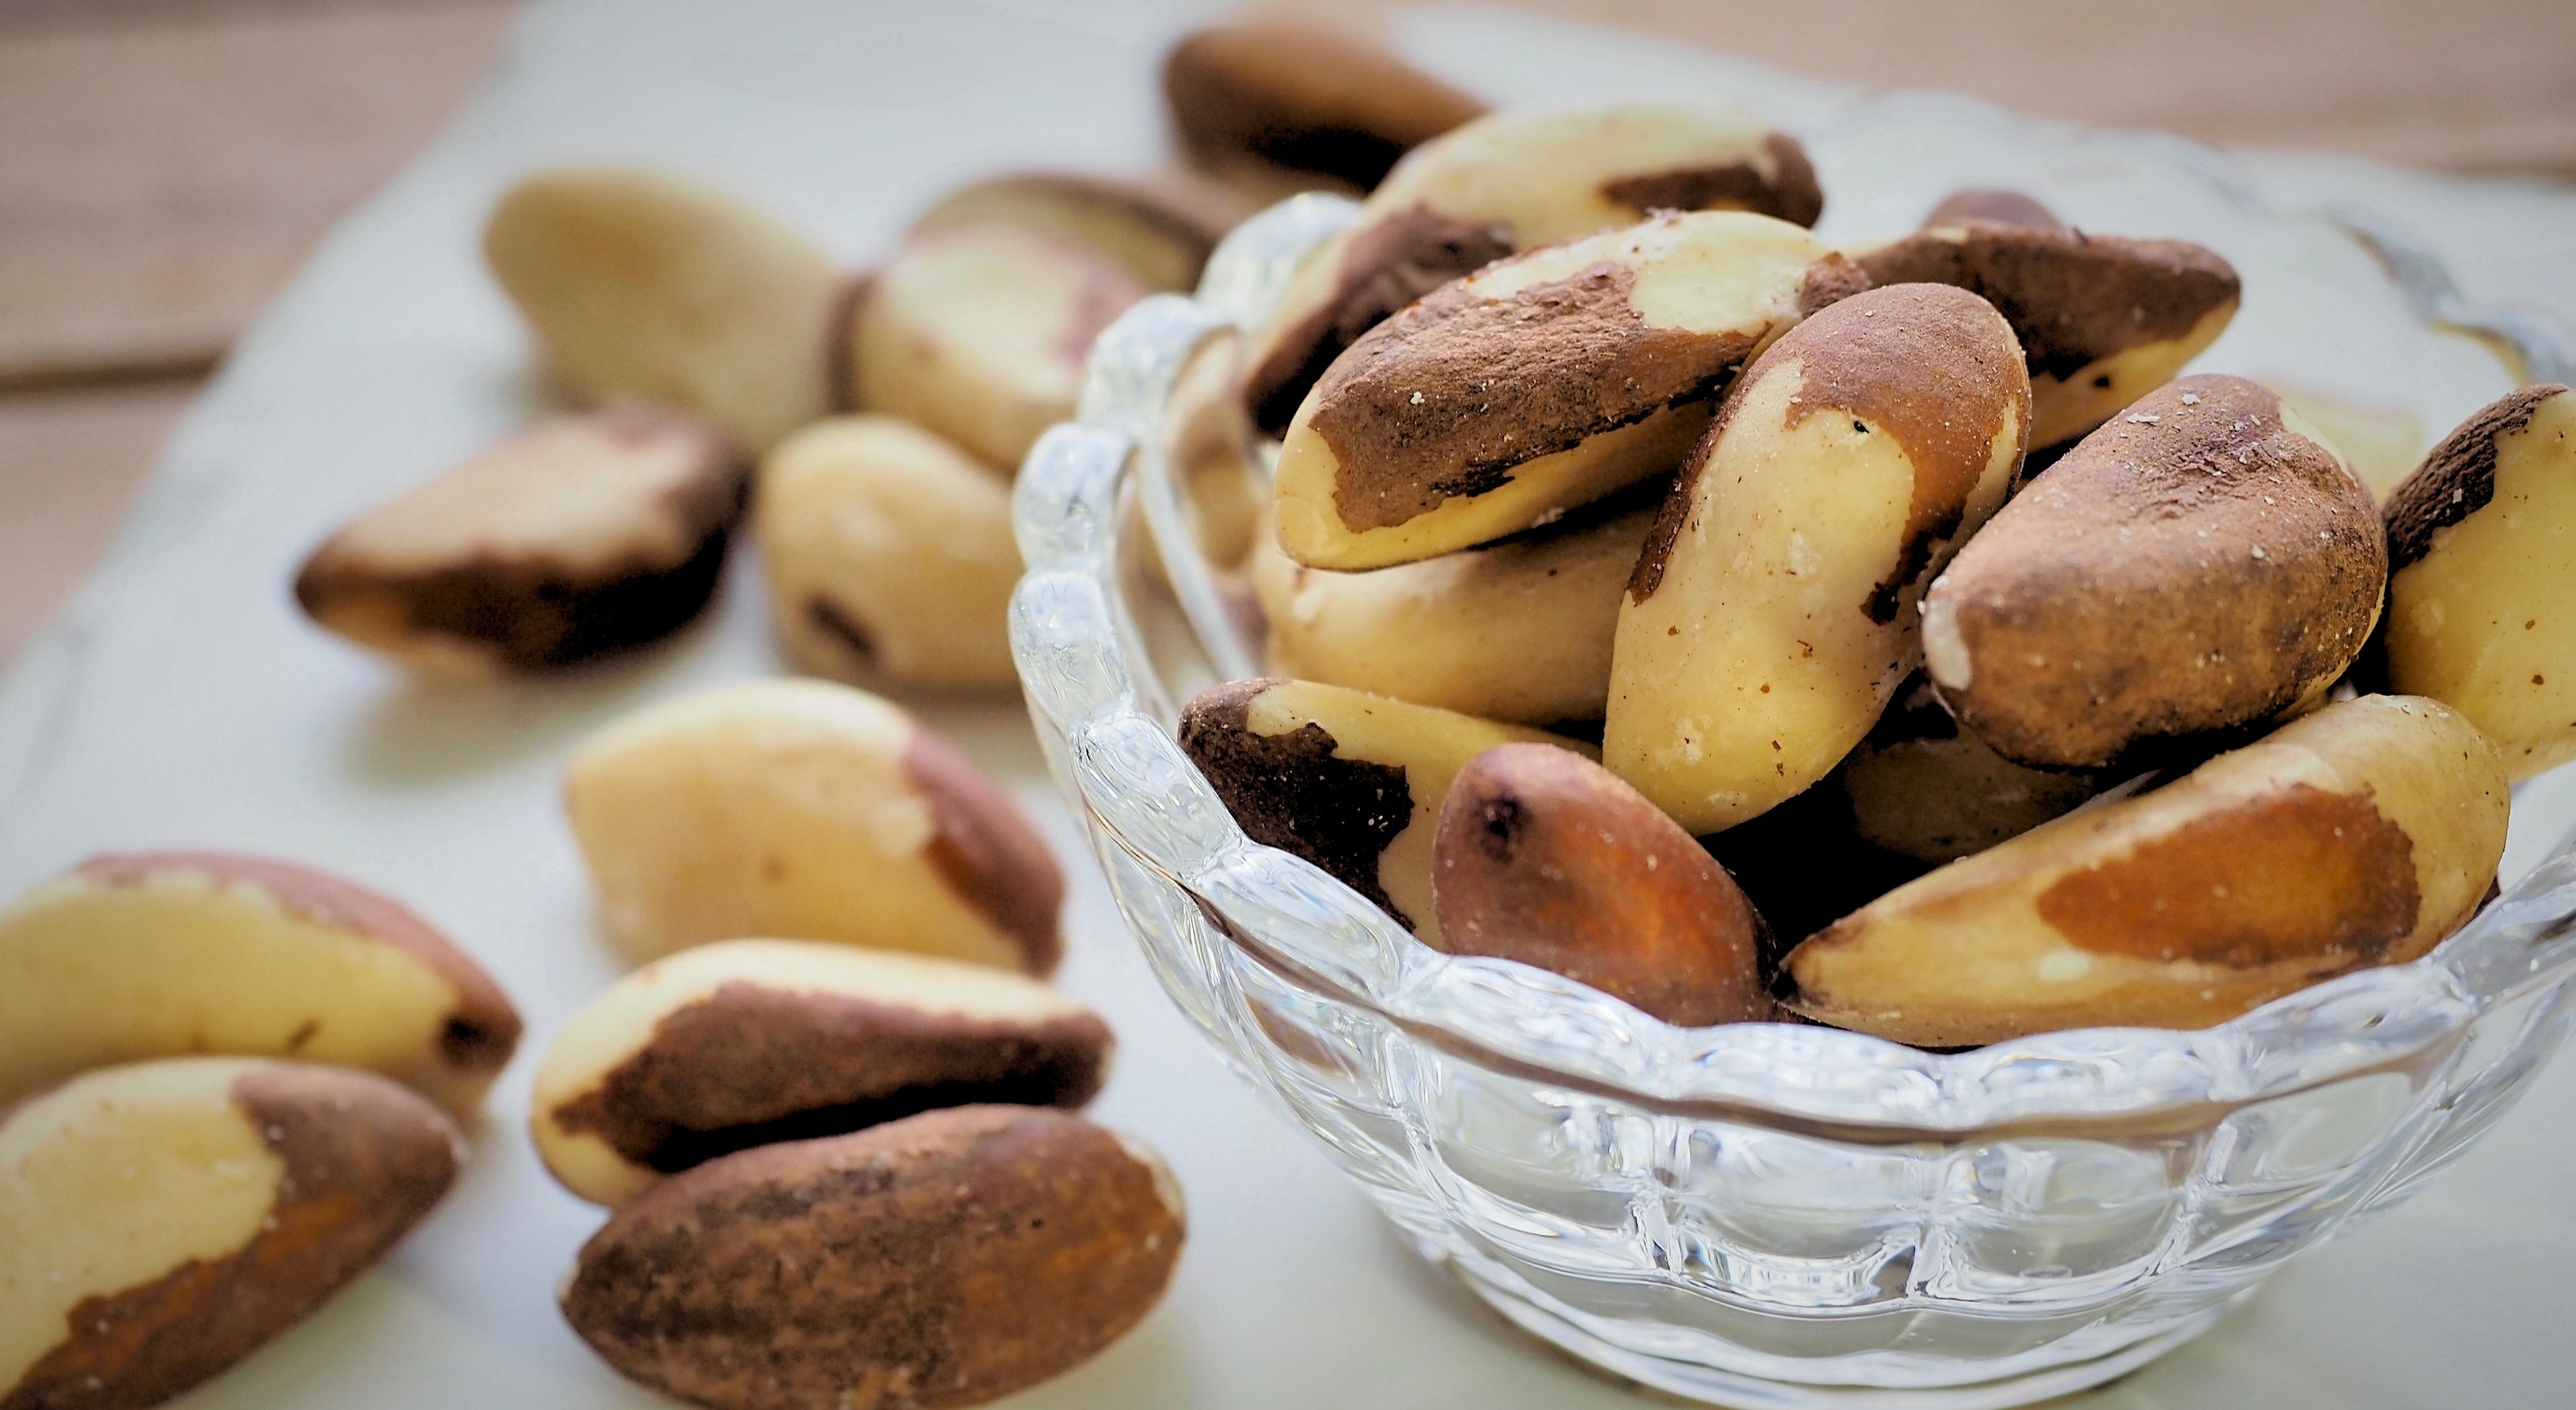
(1712, 1386)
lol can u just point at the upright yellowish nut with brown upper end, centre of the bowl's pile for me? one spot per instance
(1774, 610)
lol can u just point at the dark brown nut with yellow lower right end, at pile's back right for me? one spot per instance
(2101, 318)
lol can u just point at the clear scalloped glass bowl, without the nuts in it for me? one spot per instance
(1766, 1215)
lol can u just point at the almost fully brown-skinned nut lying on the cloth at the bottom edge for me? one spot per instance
(939, 1262)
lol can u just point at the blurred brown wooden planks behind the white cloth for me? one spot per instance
(166, 164)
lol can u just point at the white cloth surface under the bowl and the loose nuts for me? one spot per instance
(182, 702)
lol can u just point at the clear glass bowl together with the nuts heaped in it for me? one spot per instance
(1823, 821)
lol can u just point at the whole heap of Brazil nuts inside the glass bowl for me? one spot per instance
(1879, 638)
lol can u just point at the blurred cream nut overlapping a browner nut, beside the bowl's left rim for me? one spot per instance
(980, 334)
